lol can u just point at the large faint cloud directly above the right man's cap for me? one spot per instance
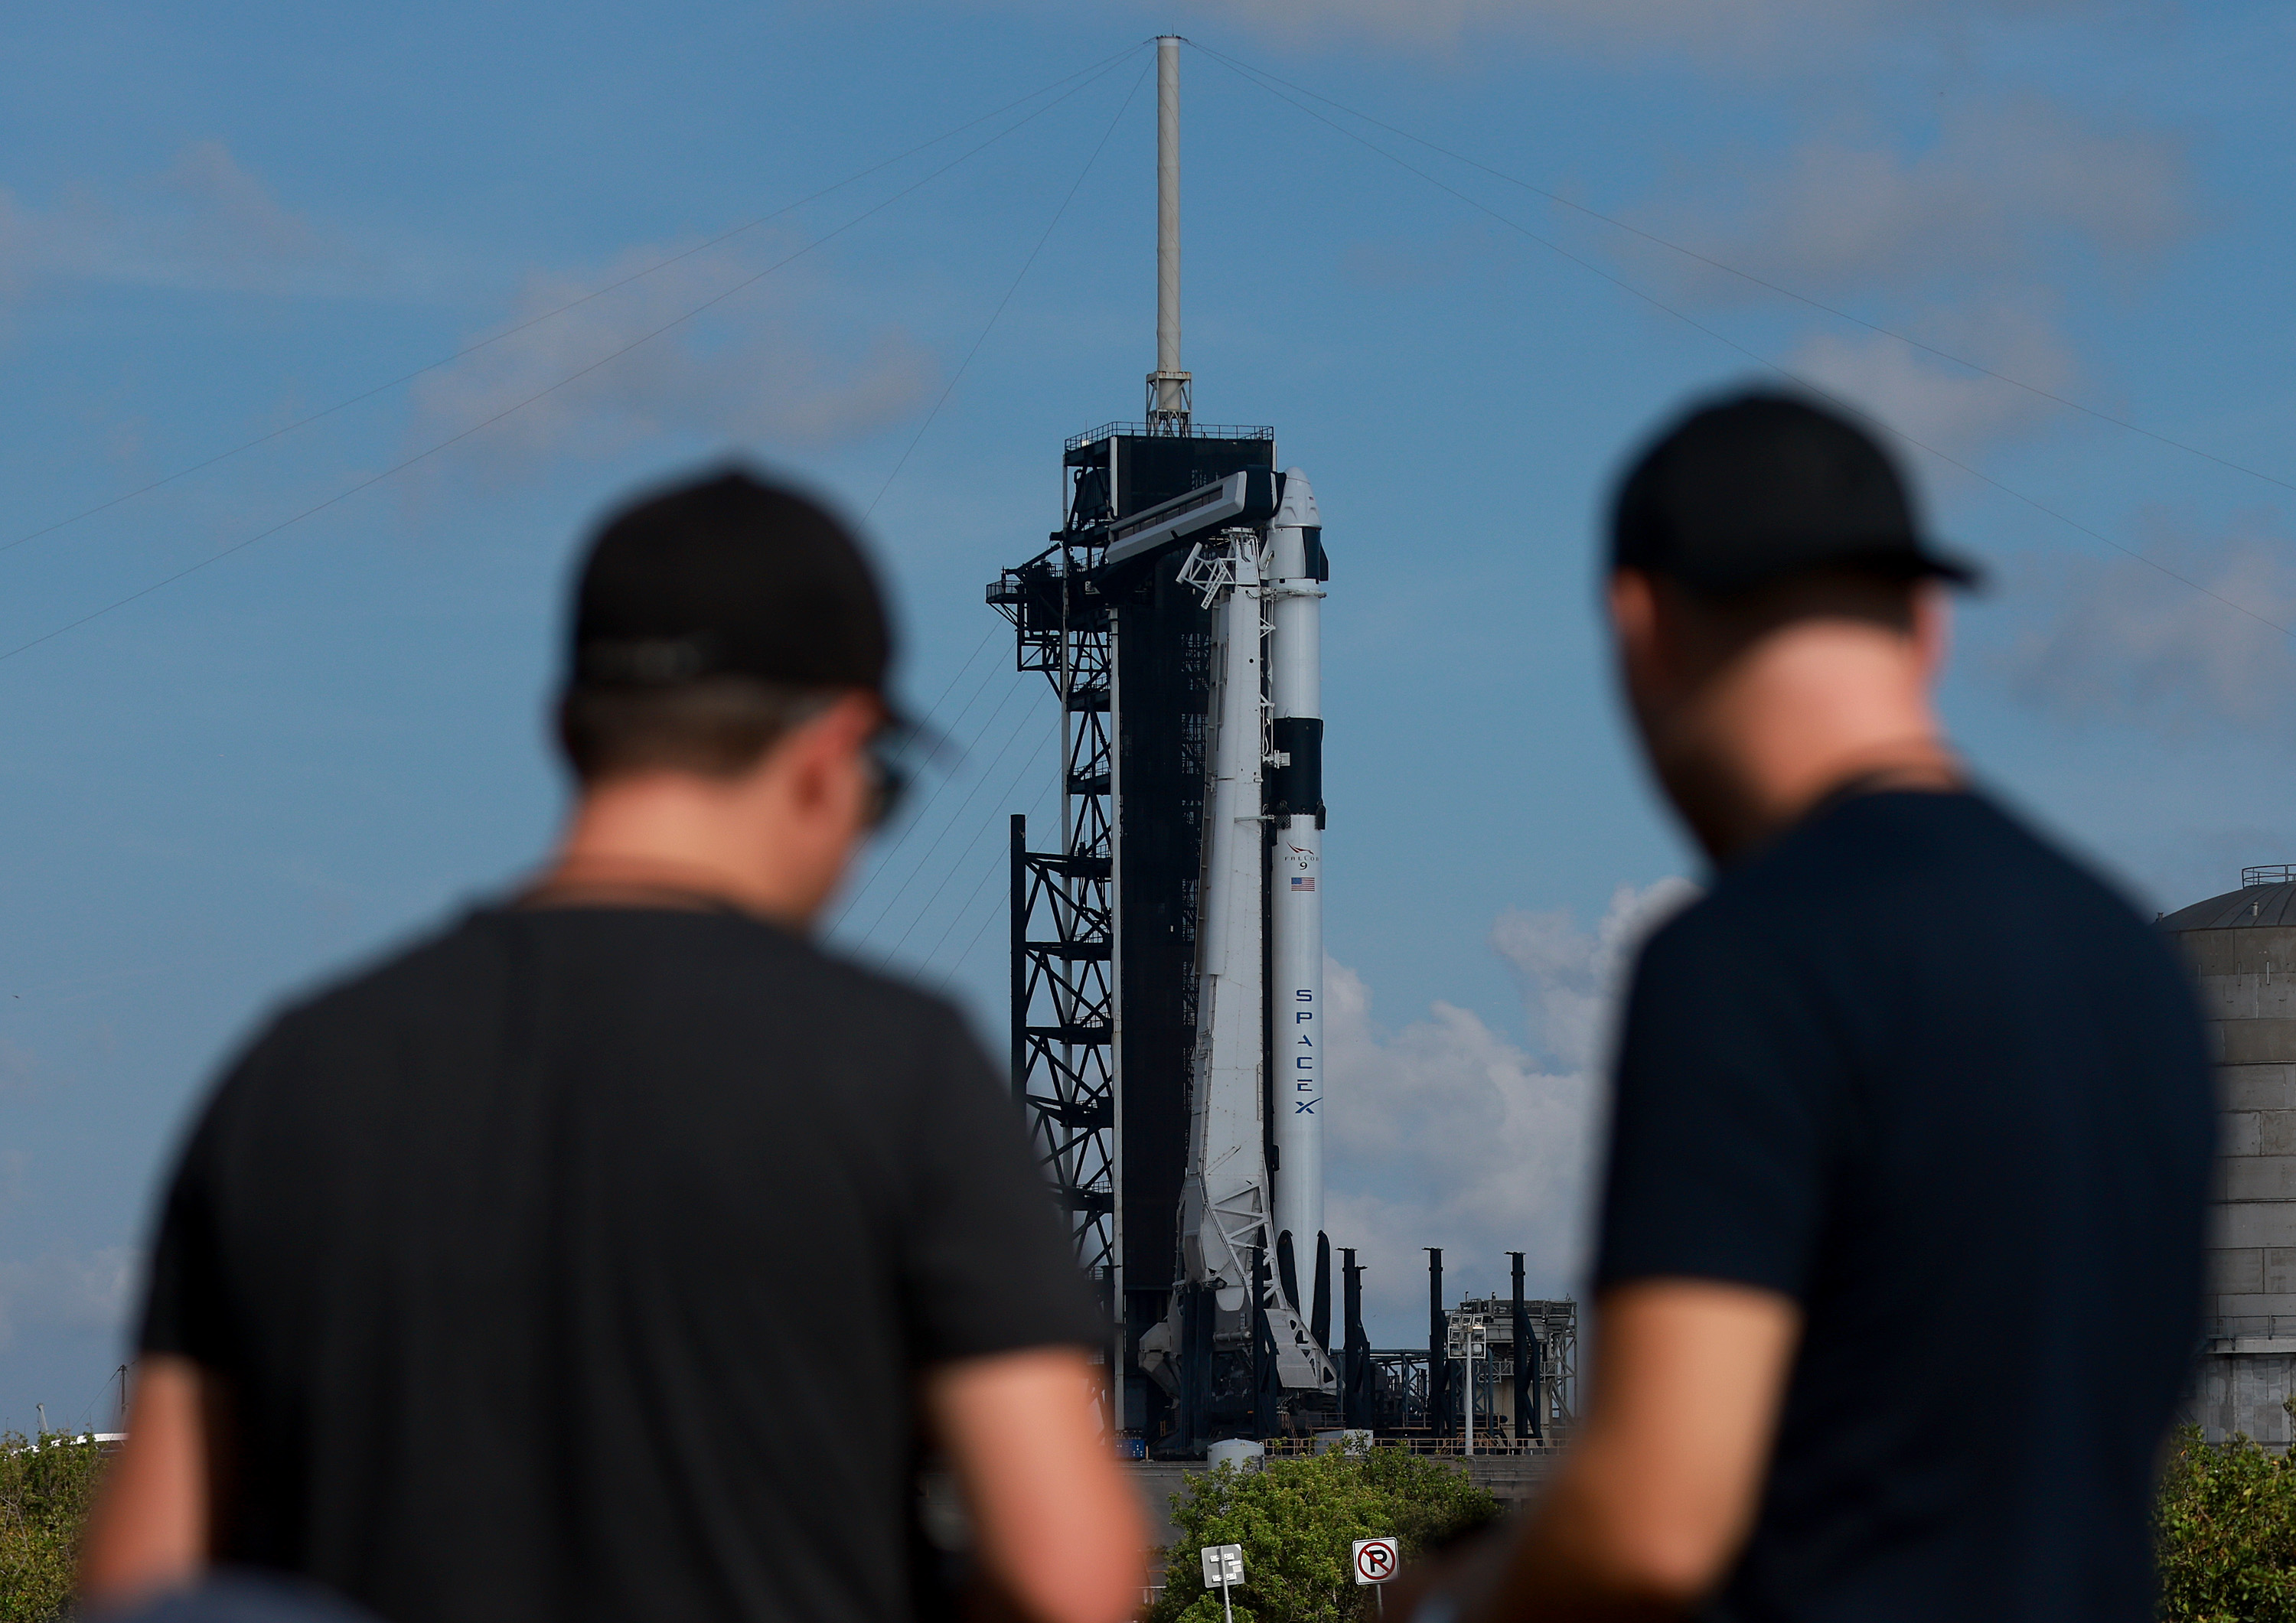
(1960, 242)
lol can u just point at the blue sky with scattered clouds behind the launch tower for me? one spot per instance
(222, 219)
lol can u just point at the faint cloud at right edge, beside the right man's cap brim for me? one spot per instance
(2123, 642)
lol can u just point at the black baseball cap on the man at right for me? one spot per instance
(1762, 486)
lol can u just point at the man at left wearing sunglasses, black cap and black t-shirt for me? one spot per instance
(616, 1252)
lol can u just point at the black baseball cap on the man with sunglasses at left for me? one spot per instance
(729, 575)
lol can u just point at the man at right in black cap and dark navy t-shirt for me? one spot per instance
(1902, 1241)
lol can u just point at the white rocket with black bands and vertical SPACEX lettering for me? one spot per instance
(1294, 798)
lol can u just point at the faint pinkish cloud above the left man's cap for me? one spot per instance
(743, 371)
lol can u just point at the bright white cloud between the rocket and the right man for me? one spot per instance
(1450, 1135)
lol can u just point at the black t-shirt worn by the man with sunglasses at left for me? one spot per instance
(580, 1264)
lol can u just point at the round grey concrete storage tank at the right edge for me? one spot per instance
(2244, 949)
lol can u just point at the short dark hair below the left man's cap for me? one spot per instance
(711, 727)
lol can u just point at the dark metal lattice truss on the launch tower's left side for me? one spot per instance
(1064, 906)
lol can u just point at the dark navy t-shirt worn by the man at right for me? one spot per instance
(1927, 1078)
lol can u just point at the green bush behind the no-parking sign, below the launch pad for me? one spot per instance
(1298, 1521)
